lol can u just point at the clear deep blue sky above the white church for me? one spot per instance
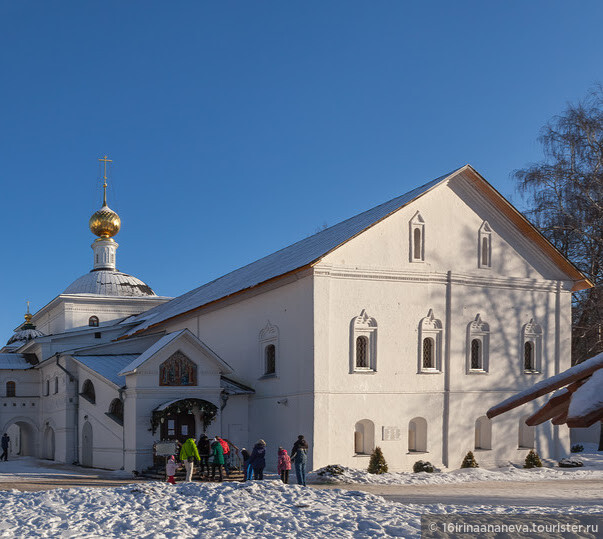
(237, 128)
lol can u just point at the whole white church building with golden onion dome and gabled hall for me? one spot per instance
(399, 328)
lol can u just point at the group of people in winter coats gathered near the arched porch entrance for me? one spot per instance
(254, 463)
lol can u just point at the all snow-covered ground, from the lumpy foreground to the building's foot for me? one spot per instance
(253, 509)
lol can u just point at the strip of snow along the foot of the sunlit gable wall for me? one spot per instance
(592, 469)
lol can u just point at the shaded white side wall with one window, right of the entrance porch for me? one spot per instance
(232, 331)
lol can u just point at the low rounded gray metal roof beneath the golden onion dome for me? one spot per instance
(109, 283)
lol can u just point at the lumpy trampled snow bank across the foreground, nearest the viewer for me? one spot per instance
(253, 509)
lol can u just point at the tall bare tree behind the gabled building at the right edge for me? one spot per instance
(565, 195)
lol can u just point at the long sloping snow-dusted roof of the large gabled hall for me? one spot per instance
(291, 258)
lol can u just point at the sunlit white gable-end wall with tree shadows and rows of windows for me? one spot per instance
(373, 272)
